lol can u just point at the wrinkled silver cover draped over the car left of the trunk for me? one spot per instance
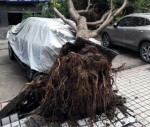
(37, 41)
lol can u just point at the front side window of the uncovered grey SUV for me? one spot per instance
(125, 22)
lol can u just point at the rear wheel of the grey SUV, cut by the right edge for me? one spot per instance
(145, 52)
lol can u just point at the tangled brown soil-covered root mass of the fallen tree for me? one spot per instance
(78, 85)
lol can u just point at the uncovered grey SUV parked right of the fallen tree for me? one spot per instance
(132, 31)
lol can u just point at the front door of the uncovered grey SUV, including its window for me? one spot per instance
(118, 33)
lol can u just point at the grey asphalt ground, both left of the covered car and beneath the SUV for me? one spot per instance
(13, 77)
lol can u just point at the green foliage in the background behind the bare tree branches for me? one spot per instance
(138, 6)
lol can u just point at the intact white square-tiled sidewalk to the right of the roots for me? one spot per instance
(134, 84)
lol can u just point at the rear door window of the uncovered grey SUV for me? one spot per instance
(138, 21)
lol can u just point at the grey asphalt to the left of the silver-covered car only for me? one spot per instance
(12, 75)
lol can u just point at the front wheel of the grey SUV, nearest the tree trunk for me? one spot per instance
(106, 42)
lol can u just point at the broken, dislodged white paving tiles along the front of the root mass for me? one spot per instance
(119, 120)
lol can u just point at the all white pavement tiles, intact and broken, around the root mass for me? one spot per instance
(134, 84)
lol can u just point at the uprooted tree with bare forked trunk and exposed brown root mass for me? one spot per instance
(80, 82)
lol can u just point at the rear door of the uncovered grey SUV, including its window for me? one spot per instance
(135, 32)
